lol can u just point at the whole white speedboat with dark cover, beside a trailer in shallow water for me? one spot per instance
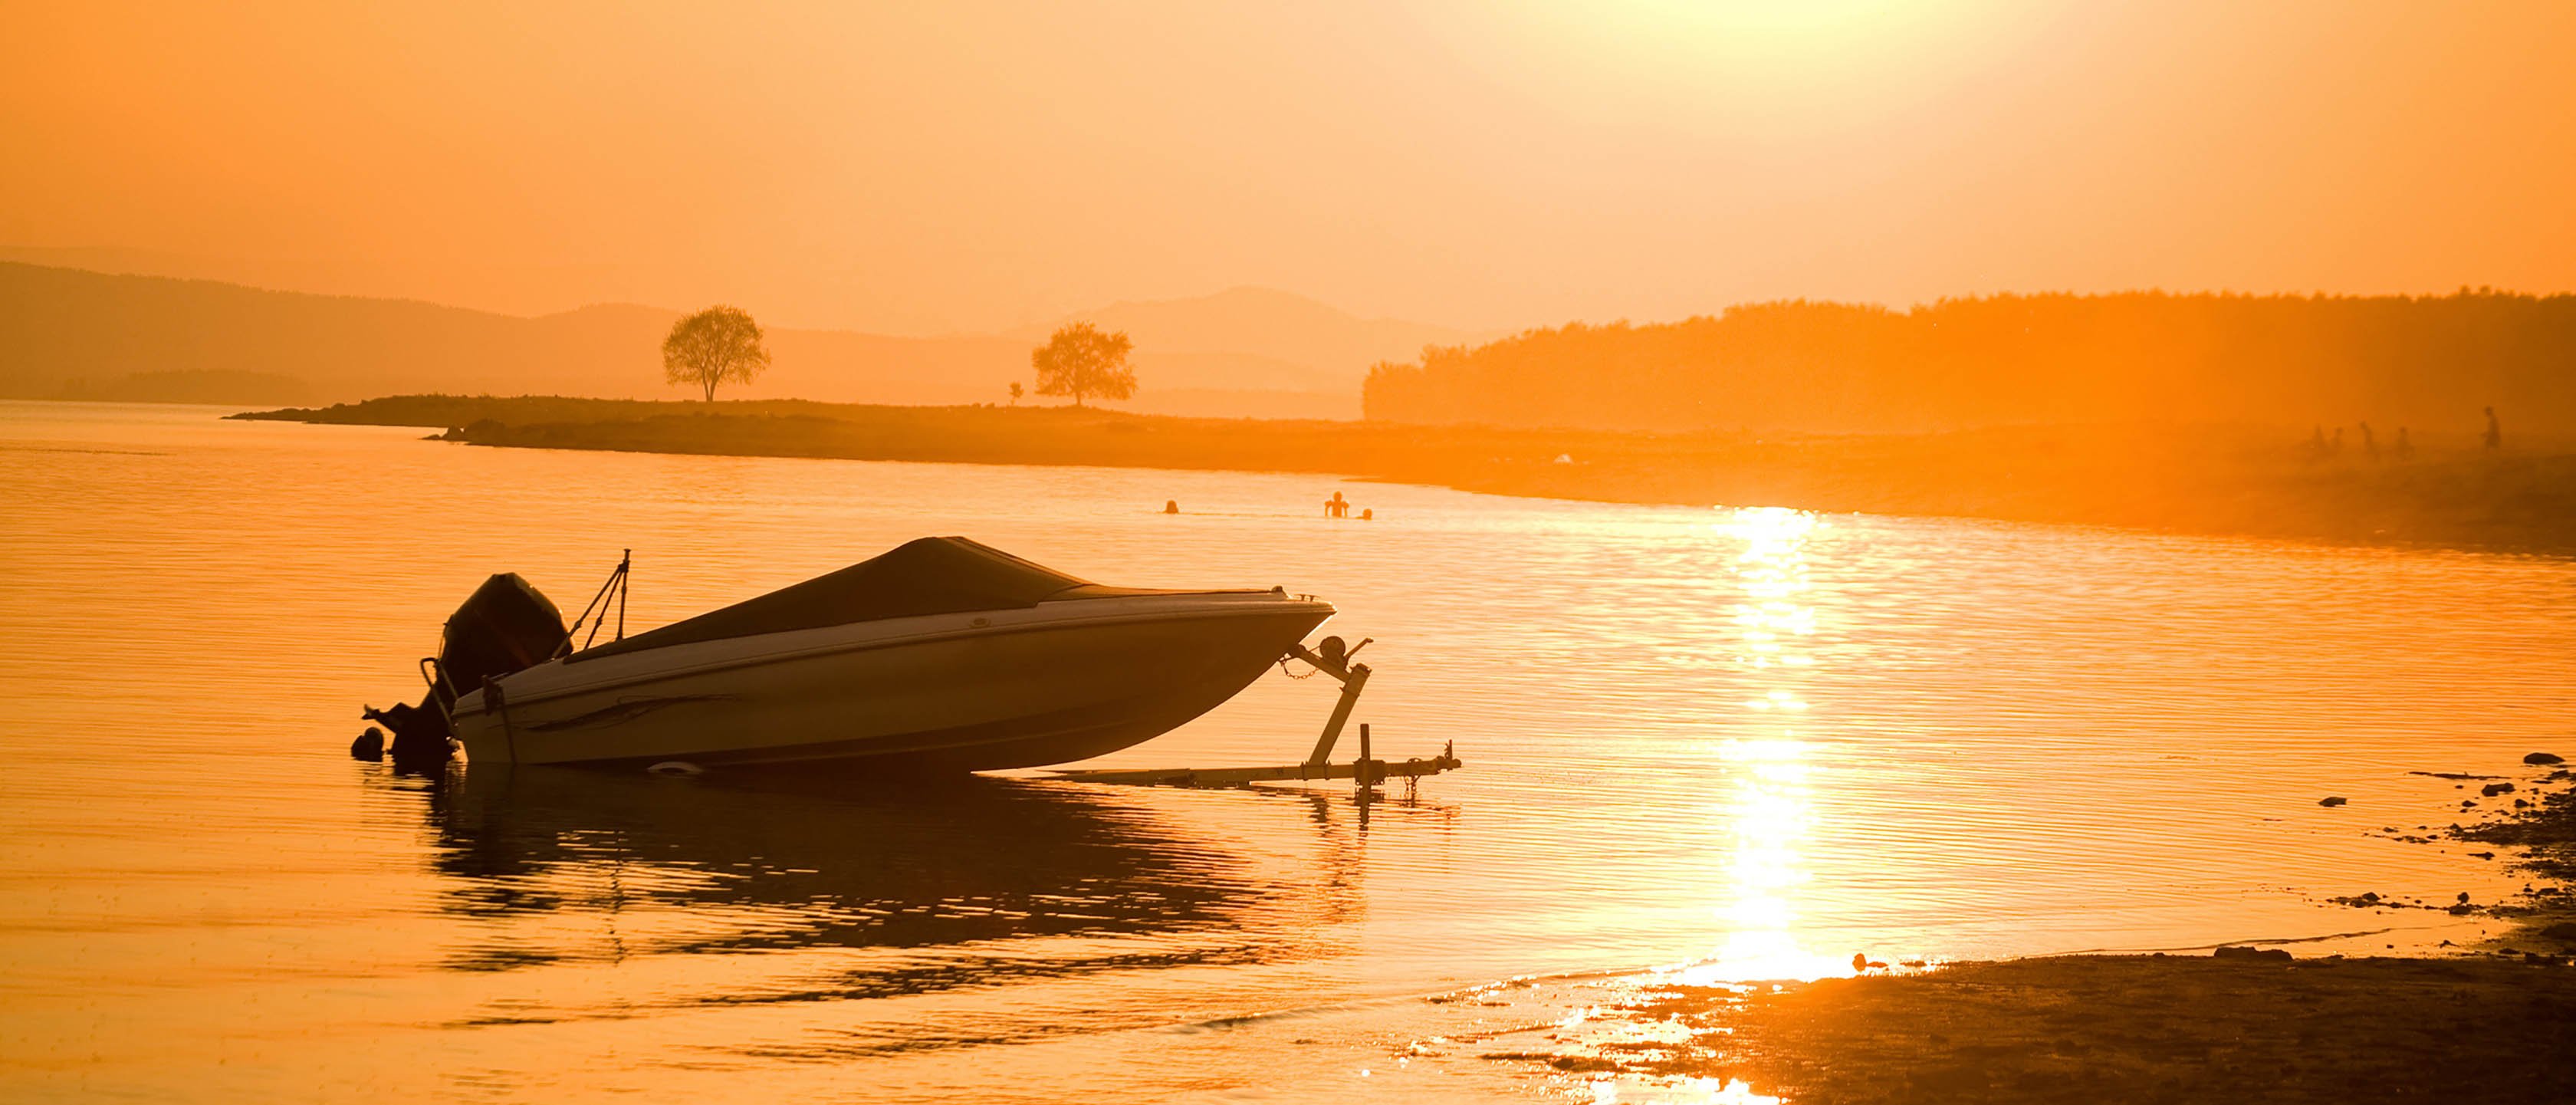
(939, 656)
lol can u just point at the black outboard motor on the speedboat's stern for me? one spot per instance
(501, 630)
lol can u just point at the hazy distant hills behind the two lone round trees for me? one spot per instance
(76, 334)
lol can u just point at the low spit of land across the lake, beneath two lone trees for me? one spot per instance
(2183, 480)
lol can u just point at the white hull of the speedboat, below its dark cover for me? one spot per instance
(949, 694)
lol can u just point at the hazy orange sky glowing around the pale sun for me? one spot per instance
(960, 166)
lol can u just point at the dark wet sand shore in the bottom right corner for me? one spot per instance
(2119, 1029)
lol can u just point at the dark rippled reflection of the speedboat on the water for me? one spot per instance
(805, 887)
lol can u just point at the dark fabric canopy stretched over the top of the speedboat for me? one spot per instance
(929, 576)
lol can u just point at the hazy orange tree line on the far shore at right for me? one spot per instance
(1820, 367)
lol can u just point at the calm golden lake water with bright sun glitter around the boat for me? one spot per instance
(1745, 743)
